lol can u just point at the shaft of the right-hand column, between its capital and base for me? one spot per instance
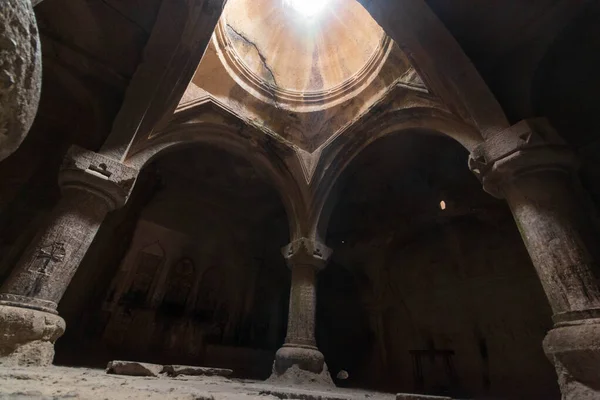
(555, 229)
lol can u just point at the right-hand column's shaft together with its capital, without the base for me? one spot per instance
(530, 166)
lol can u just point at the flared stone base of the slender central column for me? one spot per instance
(300, 365)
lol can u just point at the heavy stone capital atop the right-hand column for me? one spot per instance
(531, 145)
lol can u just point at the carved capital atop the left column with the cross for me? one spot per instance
(107, 178)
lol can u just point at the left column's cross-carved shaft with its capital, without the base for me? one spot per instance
(92, 185)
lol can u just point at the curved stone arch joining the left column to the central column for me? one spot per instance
(274, 160)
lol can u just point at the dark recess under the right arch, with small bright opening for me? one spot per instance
(431, 297)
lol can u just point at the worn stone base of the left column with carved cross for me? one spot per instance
(27, 336)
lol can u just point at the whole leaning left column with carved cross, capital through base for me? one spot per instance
(91, 185)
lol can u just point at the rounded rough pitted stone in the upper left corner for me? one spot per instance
(20, 73)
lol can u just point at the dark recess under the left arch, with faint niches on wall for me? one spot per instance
(220, 294)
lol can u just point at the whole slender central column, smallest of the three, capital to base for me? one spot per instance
(305, 258)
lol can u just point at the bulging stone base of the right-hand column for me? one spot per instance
(574, 349)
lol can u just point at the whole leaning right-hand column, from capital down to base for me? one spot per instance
(532, 168)
